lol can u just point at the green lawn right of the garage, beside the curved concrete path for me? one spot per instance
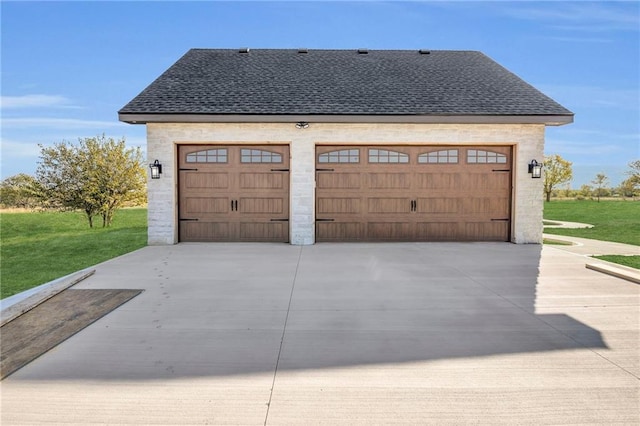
(617, 221)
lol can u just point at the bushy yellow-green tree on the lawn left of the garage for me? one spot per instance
(97, 175)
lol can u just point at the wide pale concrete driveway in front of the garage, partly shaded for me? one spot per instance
(442, 333)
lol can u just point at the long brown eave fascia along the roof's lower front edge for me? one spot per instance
(548, 120)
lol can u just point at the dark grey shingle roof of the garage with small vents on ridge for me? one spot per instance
(339, 82)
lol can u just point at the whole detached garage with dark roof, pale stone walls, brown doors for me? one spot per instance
(305, 146)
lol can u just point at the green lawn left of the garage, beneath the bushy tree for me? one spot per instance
(41, 246)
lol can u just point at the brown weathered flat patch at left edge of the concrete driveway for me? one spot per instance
(47, 325)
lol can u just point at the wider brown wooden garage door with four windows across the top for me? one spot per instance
(413, 193)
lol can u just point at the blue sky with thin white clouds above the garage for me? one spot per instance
(67, 67)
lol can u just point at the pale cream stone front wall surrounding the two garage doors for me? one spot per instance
(162, 139)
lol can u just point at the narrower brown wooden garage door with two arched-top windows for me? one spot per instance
(234, 193)
